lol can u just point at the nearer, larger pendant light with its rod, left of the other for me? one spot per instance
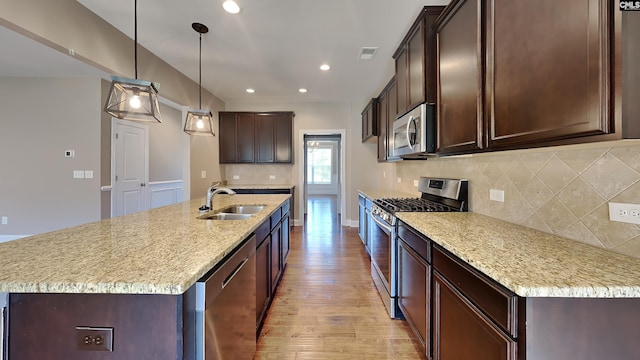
(133, 99)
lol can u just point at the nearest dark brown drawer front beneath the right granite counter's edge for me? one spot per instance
(498, 303)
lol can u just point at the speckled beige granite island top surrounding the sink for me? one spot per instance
(159, 251)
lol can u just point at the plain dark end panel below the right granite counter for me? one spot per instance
(580, 328)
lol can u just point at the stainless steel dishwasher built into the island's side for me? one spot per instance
(220, 309)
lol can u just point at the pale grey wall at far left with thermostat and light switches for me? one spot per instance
(40, 119)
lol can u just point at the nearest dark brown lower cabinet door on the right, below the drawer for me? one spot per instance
(461, 331)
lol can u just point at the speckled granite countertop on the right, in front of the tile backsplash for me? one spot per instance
(529, 262)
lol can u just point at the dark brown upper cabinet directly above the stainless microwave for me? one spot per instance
(415, 62)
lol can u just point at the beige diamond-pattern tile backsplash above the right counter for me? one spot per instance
(559, 190)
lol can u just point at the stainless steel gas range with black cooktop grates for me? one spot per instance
(437, 195)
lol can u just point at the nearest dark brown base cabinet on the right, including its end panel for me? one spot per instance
(476, 318)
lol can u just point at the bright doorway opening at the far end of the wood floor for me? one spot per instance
(322, 180)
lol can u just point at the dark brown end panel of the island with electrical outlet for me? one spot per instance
(43, 326)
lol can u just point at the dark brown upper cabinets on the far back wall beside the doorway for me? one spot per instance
(248, 137)
